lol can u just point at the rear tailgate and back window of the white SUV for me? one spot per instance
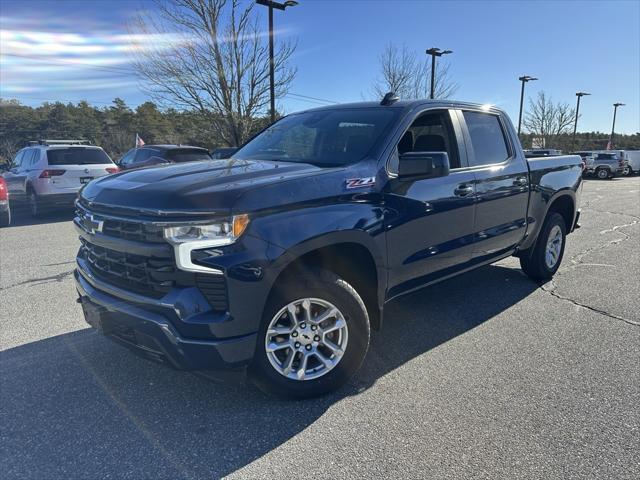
(71, 167)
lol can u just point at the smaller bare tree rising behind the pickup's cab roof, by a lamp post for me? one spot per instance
(406, 73)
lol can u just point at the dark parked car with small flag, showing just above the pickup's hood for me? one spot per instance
(151, 155)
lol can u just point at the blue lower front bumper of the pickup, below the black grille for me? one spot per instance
(141, 324)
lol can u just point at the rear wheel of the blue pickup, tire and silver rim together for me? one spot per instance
(543, 259)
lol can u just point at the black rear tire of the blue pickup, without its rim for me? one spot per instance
(532, 261)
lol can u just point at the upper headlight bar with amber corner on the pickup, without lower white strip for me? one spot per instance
(220, 233)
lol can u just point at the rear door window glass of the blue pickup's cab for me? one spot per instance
(487, 138)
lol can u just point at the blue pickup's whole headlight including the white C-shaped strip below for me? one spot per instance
(187, 238)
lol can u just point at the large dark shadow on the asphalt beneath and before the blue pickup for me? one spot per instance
(79, 406)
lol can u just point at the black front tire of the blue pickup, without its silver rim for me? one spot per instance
(327, 286)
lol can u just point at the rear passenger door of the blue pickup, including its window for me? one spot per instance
(501, 184)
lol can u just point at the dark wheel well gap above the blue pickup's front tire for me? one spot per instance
(351, 261)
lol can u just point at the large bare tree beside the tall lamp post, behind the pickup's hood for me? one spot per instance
(218, 66)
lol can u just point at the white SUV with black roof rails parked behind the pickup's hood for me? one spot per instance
(51, 172)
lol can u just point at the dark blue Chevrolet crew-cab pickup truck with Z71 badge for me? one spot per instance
(279, 261)
